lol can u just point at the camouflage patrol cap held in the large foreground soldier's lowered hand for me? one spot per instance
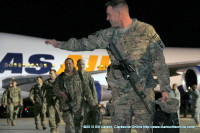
(170, 105)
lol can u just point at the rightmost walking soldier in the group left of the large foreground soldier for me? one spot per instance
(89, 100)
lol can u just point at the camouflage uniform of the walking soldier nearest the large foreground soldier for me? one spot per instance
(89, 99)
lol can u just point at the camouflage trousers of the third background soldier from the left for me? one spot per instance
(54, 115)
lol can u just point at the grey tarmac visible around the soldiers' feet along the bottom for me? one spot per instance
(27, 125)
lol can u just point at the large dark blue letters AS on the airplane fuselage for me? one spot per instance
(13, 62)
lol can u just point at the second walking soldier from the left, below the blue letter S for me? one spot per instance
(37, 98)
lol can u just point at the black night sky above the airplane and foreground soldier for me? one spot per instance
(176, 21)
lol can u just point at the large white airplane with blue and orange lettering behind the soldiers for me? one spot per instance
(24, 58)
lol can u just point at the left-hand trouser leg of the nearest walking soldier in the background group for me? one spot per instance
(68, 118)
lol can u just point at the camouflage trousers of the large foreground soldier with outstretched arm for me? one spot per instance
(128, 104)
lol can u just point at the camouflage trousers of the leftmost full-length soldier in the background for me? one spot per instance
(12, 112)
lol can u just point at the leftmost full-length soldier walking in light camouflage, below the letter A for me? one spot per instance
(14, 100)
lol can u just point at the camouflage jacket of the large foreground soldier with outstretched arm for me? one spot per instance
(139, 44)
